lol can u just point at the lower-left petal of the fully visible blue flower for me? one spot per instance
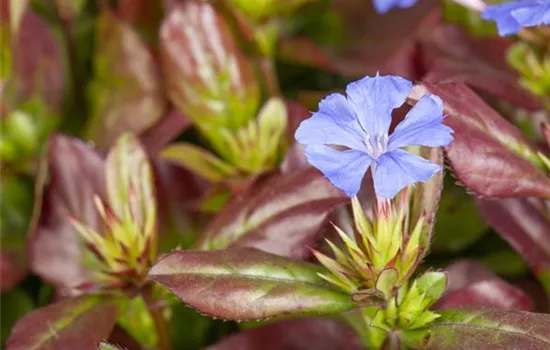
(344, 169)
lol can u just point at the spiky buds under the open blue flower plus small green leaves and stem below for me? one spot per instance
(376, 265)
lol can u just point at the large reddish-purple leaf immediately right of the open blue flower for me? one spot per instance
(488, 155)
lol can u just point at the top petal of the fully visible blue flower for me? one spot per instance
(373, 100)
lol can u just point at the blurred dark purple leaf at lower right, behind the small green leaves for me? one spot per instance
(471, 284)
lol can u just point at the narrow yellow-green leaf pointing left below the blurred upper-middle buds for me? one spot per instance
(199, 161)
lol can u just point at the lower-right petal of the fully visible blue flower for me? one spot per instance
(397, 169)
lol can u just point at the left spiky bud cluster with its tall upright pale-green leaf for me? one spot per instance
(127, 246)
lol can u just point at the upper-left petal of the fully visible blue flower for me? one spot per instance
(335, 123)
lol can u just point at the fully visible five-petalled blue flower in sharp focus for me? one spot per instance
(349, 134)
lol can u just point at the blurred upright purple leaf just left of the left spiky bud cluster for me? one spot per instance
(55, 248)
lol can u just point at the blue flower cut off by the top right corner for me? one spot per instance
(512, 16)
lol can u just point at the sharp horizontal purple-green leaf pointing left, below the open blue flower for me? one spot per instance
(246, 283)
